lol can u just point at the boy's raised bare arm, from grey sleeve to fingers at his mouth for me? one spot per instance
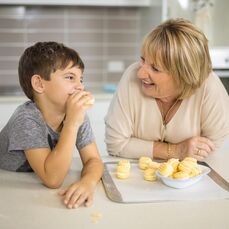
(52, 166)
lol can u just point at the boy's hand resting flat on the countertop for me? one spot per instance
(78, 193)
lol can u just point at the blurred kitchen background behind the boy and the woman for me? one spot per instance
(106, 33)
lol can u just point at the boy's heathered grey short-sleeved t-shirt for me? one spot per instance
(26, 129)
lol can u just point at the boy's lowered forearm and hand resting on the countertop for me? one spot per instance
(82, 191)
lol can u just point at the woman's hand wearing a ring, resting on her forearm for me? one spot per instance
(197, 147)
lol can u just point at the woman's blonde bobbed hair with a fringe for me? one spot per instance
(179, 48)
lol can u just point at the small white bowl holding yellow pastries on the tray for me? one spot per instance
(183, 183)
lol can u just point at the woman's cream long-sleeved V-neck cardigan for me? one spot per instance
(134, 121)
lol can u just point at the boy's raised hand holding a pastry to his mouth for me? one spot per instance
(77, 104)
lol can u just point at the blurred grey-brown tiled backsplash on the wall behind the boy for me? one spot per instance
(102, 35)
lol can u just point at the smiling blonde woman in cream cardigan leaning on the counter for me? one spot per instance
(170, 104)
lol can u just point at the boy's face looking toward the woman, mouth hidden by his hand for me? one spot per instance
(63, 83)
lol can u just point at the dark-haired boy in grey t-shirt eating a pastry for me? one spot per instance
(42, 133)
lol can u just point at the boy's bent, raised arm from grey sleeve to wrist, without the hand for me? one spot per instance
(52, 166)
